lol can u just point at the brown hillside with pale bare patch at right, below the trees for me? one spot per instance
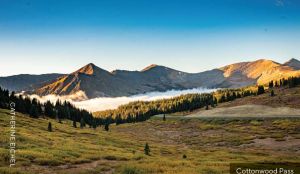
(285, 103)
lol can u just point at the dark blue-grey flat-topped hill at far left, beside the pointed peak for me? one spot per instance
(25, 82)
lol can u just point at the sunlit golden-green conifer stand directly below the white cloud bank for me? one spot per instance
(143, 110)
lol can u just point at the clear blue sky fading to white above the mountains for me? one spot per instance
(43, 36)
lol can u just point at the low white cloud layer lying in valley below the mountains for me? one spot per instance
(104, 103)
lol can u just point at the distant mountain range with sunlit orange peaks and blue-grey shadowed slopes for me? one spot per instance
(97, 82)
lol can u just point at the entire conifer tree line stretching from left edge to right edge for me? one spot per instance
(135, 111)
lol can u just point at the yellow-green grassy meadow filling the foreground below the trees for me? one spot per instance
(210, 145)
